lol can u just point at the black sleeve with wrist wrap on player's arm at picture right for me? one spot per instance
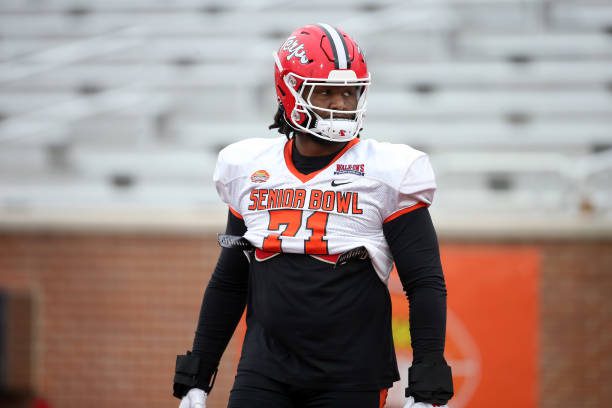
(414, 246)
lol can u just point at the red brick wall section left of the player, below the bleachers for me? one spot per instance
(113, 313)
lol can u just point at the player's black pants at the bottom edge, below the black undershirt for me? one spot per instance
(252, 390)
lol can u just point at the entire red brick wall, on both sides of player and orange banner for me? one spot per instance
(112, 311)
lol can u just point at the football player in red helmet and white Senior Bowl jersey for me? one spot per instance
(316, 219)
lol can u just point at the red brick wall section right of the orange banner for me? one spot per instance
(576, 325)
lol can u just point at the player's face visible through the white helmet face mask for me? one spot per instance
(343, 98)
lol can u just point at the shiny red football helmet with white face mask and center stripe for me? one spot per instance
(322, 55)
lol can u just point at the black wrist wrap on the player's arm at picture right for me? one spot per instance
(431, 383)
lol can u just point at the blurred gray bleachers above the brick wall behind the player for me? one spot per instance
(123, 105)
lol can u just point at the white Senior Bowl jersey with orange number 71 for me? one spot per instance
(338, 208)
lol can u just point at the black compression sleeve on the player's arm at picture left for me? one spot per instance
(223, 303)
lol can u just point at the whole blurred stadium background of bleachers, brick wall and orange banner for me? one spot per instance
(112, 113)
